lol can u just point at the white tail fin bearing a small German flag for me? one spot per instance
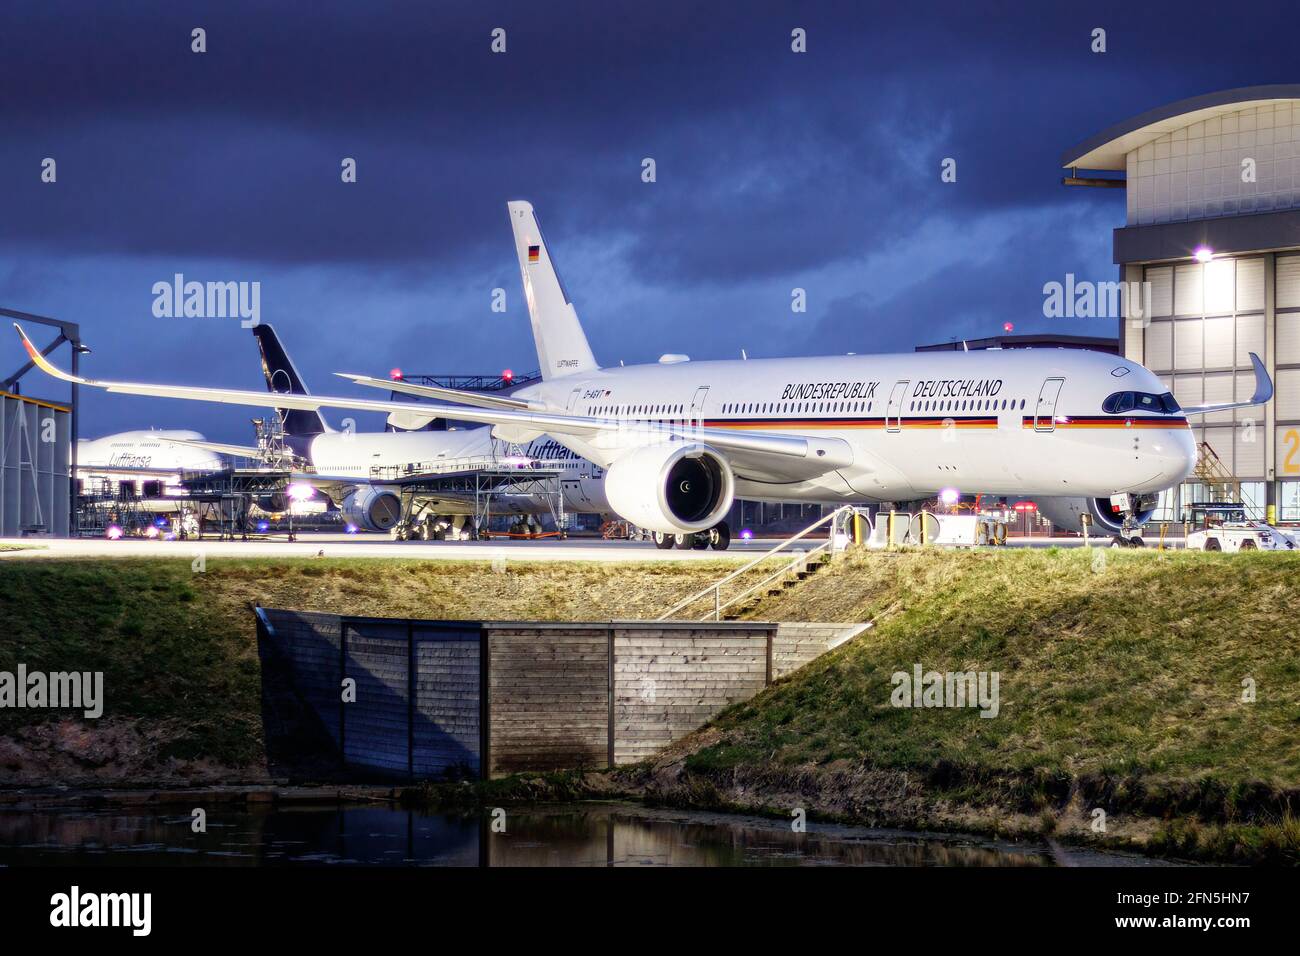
(562, 347)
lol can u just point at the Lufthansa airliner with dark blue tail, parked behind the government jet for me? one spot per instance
(344, 462)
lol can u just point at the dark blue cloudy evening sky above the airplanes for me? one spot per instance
(775, 171)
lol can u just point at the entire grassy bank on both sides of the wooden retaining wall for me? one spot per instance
(1121, 681)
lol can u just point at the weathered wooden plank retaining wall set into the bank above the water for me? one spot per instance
(432, 698)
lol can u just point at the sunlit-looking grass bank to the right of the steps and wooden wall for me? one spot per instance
(1121, 686)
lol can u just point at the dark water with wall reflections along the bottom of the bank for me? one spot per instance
(561, 836)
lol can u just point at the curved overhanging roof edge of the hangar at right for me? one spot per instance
(1108, 150)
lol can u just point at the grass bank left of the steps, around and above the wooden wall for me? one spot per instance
(179, 648)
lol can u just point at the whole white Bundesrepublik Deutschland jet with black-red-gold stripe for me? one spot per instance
(679, 440)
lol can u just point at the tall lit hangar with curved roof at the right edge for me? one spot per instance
(1214, 227)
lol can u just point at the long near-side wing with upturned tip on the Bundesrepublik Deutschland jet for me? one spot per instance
(781, 457)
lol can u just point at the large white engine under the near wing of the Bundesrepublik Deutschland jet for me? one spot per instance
(671, 488)
